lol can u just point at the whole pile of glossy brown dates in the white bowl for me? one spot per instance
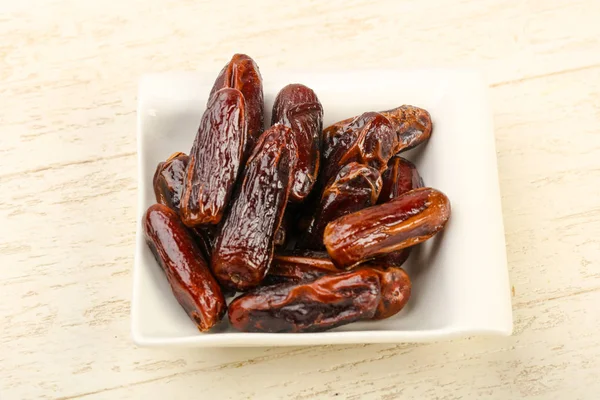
(311, 225)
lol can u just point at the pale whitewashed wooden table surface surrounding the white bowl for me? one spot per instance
(69, 72)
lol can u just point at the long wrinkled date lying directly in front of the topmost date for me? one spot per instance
(216, 159)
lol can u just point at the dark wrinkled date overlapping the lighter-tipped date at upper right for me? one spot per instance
(368, 139)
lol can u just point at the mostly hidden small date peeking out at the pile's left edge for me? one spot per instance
(168, 180)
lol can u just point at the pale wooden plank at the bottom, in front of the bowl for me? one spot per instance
(533, 364)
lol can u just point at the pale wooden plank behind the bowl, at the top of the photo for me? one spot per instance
(92, 56)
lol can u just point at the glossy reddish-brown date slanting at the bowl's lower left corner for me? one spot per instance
(191, 281)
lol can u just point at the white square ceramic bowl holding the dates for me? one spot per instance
(460, 277)
